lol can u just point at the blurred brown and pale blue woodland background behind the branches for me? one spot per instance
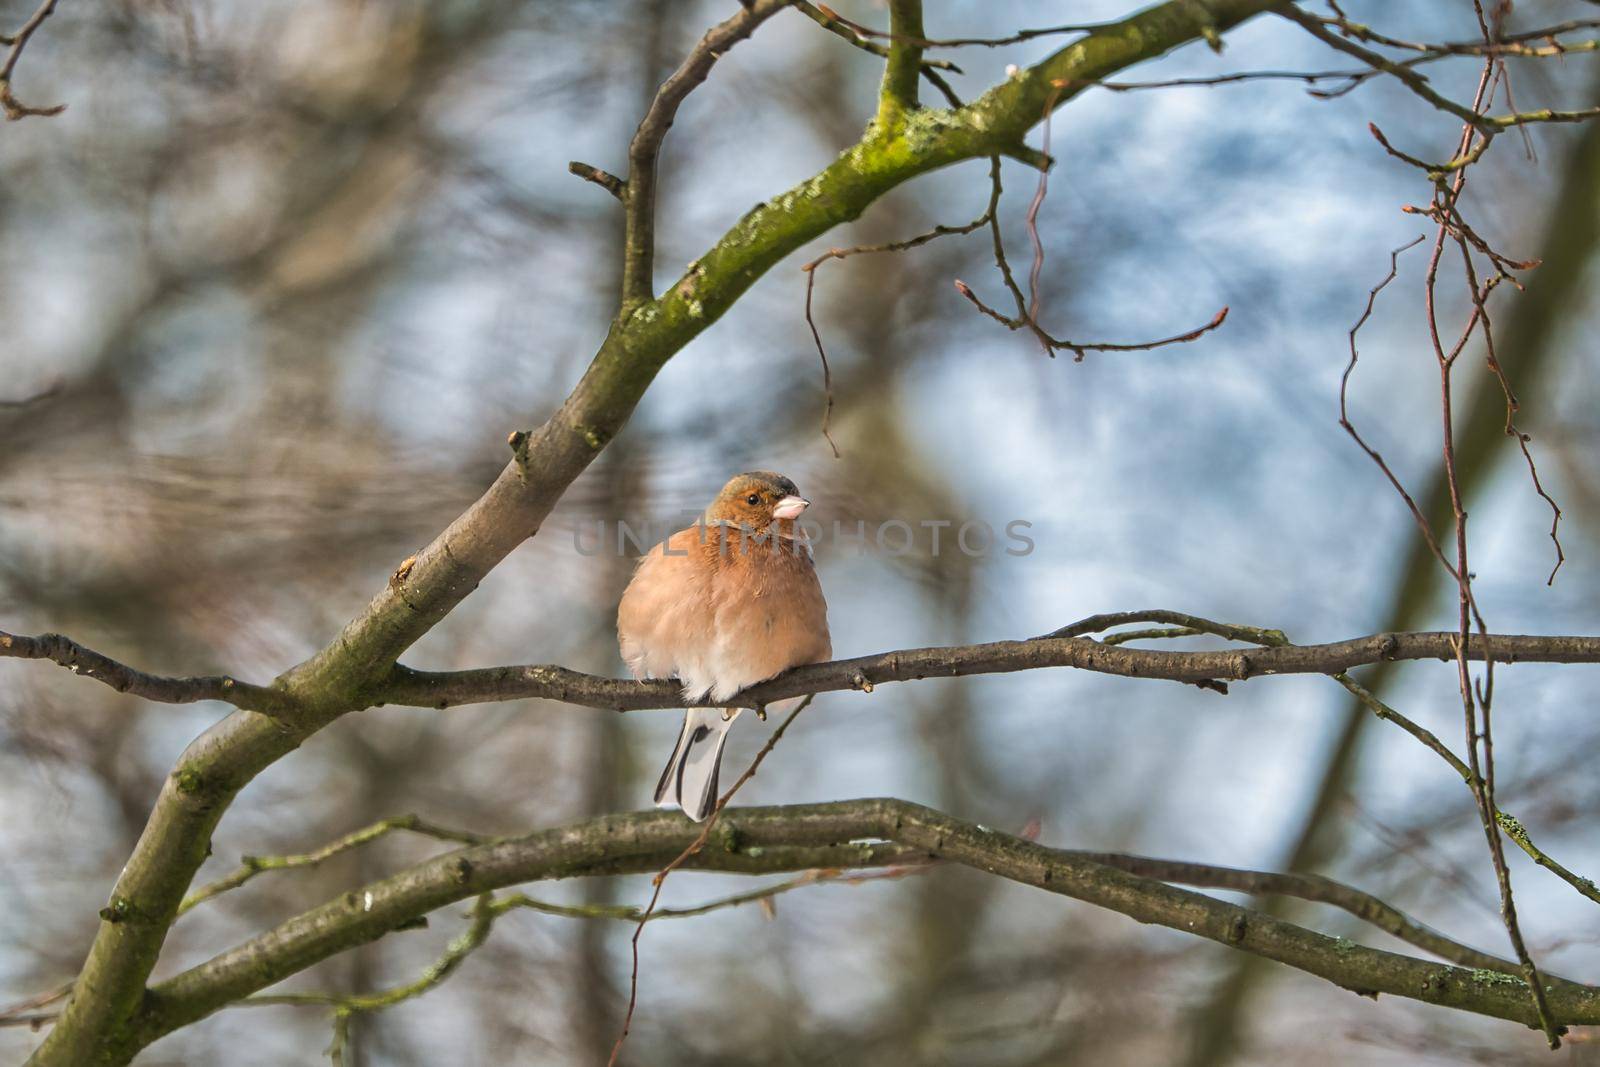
(282, 276)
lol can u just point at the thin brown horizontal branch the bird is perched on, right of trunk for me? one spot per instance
(423, 689)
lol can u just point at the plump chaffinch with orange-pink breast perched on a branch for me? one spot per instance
(722, 605)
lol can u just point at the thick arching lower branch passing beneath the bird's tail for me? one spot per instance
(868, 834)
